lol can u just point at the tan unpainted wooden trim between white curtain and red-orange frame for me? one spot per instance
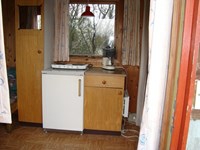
(174, 62)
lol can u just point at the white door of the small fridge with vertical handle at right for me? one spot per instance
(62, 97)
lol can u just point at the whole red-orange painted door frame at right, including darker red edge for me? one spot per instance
(186, 79)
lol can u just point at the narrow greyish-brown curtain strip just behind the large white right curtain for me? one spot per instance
(143, 64)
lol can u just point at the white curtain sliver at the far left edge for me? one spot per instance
(5, 113)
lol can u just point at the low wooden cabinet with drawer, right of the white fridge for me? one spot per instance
(103, 102)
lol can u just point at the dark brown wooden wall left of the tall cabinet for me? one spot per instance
(8, 9)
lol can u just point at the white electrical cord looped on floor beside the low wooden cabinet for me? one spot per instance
(130, 134)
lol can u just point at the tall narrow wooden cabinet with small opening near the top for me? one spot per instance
(29, 63)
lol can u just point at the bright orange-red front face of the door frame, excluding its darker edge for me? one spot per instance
(183, 73)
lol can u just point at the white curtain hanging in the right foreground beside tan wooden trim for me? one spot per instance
(159, 46)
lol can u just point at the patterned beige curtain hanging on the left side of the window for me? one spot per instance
(61, 48)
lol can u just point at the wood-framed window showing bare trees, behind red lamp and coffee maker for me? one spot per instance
(80, 50)
